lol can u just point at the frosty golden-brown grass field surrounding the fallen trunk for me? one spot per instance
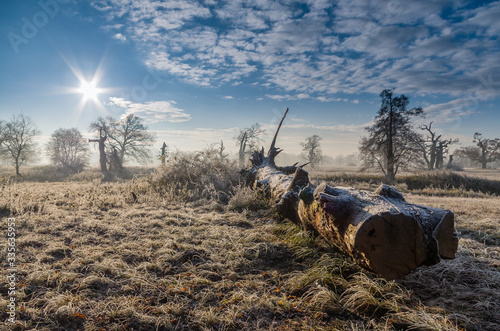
(92, 257)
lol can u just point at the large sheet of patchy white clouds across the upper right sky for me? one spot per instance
(409, 45)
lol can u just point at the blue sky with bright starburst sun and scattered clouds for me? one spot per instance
(198, 71)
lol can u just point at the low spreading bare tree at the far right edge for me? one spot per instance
(487, 150)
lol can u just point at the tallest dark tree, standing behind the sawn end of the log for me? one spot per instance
(390, 144)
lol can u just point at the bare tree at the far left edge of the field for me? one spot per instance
(18, 141)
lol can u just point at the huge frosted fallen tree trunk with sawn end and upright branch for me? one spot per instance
(380, 230)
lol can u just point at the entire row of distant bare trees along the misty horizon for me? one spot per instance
(393, 143)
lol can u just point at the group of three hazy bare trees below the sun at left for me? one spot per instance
(120, 141)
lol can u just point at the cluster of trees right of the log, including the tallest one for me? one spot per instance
(393, 144)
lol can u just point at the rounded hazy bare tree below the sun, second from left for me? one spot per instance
(67, 150)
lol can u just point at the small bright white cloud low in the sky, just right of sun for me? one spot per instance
(152, 111)
